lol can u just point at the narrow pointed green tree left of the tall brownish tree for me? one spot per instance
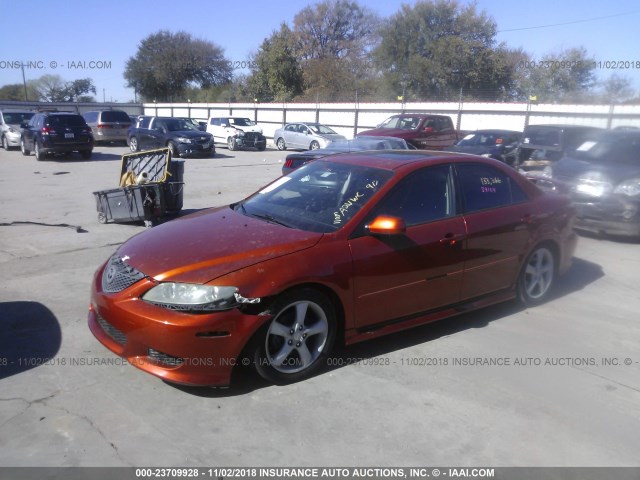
(277, 74)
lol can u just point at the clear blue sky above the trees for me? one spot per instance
(108, 32)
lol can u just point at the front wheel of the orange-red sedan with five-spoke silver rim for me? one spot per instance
(296, 342)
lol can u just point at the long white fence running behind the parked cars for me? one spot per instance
(349, 119)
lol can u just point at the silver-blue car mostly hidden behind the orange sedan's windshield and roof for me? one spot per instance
(296, 160)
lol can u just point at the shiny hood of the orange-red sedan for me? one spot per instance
(201, 247)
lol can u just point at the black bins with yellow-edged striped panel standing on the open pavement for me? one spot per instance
(151, 187)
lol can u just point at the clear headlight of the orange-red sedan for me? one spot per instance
(194, 297)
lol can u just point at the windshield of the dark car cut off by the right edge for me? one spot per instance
(610, 149)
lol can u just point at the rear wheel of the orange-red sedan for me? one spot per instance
(538, 276)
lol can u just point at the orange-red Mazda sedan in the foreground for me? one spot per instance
(346, 248)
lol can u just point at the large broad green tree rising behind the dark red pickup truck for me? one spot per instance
(434, 49)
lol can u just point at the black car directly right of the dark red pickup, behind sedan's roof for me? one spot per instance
(498, 144)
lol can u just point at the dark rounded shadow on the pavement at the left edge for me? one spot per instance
(30, 335)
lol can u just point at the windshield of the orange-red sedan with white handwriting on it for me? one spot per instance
(319, 197)
